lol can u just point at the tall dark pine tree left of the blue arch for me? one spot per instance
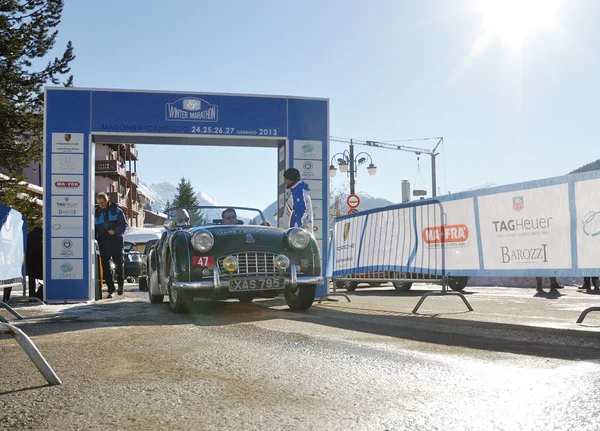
(27, 34)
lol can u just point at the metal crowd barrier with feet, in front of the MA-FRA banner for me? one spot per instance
(400, 244)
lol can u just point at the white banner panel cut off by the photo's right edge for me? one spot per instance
(587, 202)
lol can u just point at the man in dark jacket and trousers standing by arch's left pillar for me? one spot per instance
(110, 227)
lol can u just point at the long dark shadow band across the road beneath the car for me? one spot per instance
(431, 328)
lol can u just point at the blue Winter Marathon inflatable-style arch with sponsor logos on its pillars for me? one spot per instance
(76, 118)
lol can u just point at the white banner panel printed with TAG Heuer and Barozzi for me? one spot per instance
(526, 229)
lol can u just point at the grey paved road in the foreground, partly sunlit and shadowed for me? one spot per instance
(364, 365)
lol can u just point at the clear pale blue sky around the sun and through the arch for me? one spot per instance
(393, 70)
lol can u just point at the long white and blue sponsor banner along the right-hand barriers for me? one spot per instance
(538, 228)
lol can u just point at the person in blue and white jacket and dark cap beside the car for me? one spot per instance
(298, 203)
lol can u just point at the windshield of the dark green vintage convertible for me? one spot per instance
(209, 215)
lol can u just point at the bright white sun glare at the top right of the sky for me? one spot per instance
(514, 20)
